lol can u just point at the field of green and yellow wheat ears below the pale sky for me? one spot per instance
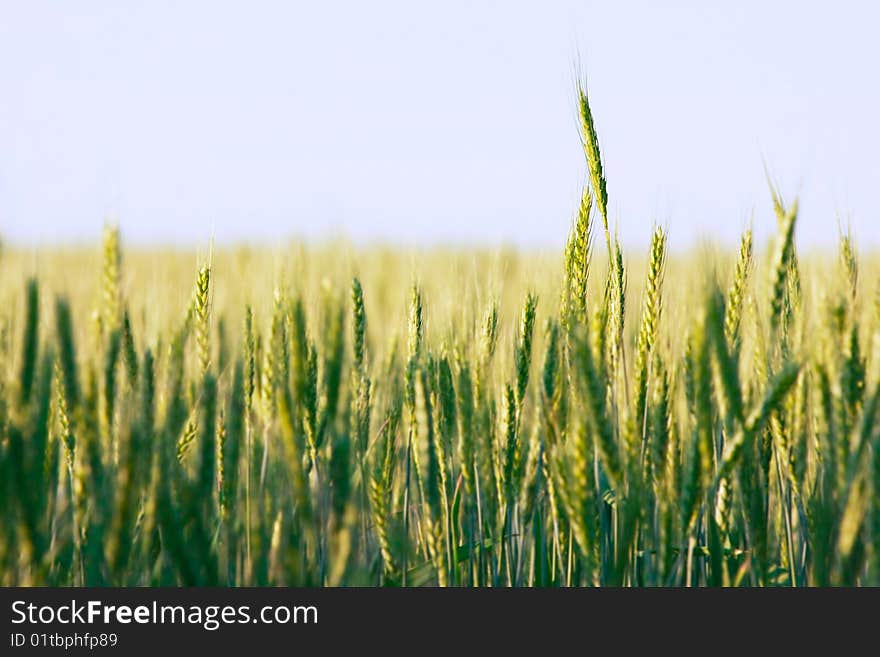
(330, 415)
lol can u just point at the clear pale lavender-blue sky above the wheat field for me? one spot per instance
(453, 121)
